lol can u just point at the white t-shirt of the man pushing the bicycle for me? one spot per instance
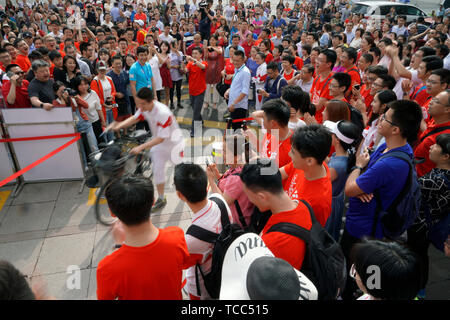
(162, 124)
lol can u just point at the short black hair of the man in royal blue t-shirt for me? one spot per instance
(407, 115)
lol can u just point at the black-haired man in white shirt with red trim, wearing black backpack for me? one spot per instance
(191, 184)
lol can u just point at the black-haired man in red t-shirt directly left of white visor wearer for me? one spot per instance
(307, 177)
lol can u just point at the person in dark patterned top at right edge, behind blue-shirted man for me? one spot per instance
(432, 224)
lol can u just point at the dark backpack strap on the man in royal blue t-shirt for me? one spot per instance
(399, 155)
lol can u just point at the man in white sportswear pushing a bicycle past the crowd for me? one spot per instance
(166, 144)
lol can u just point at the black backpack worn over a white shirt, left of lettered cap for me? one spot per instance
(230, 231)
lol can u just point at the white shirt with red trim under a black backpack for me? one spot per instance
(207, 218)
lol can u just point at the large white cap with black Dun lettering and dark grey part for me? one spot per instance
(251, 272)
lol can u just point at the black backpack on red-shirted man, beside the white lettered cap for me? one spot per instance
(324, 263)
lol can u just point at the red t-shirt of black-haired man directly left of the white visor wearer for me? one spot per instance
(318, 192)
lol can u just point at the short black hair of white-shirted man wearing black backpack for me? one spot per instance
(191, 181)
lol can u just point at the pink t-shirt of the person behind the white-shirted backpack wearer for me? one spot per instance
(231, 185)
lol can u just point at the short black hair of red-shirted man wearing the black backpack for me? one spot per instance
(254, 179)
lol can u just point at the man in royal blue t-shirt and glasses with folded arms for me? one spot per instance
(378, 179)
